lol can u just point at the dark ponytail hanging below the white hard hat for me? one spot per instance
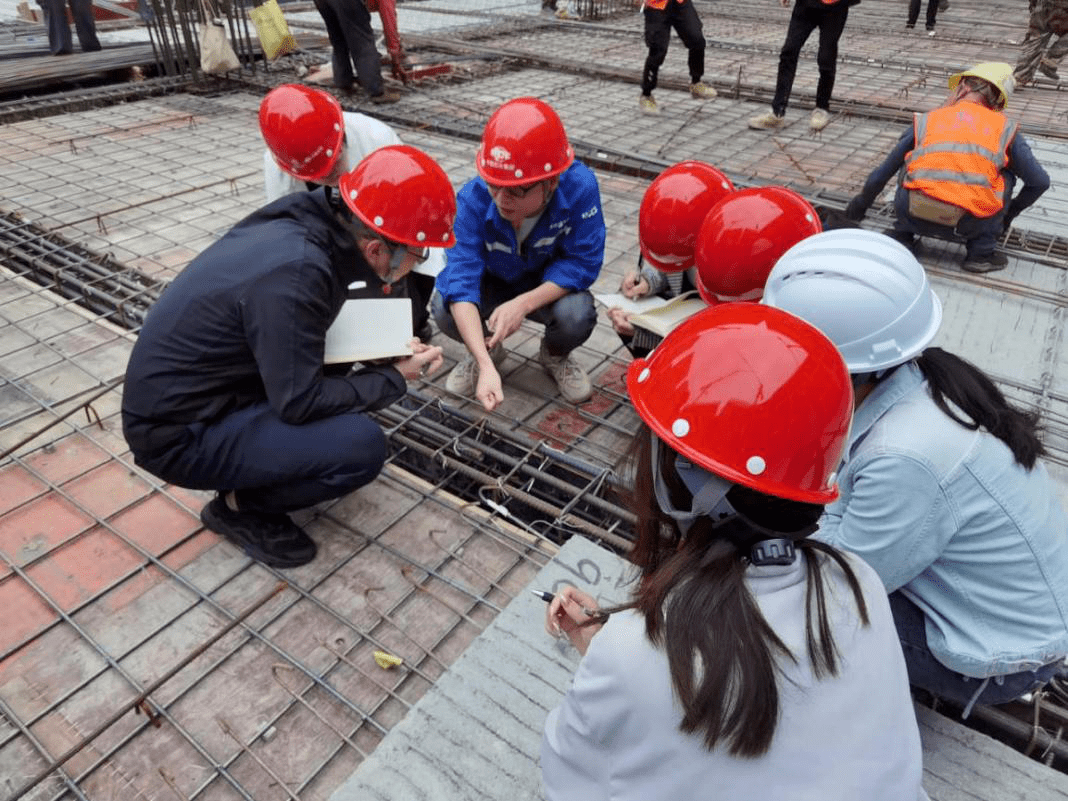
(968, 388)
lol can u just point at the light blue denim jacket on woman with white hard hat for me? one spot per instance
(949, 517)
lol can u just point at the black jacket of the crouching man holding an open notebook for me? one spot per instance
(245, 323)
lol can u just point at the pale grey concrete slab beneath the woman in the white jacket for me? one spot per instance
(477, 733)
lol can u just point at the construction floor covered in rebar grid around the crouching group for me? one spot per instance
(142, 657)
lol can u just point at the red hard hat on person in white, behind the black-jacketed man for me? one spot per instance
(305, 130)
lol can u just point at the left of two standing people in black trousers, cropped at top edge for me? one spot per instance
(661, 18)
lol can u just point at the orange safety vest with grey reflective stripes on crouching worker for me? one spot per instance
(960, 154)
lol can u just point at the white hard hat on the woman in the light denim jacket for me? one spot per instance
(867, 292)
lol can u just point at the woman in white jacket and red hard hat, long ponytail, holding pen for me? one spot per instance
(745, 639)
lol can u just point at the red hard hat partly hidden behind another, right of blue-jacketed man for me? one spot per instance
(672, 210)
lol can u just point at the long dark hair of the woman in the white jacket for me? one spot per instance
(721, 651)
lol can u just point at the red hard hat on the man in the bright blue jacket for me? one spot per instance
(524, 143)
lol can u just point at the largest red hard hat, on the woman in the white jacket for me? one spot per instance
(753, 395)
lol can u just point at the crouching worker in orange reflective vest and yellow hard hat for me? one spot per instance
(960, 164)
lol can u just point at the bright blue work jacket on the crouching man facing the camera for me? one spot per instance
(566, 247)
